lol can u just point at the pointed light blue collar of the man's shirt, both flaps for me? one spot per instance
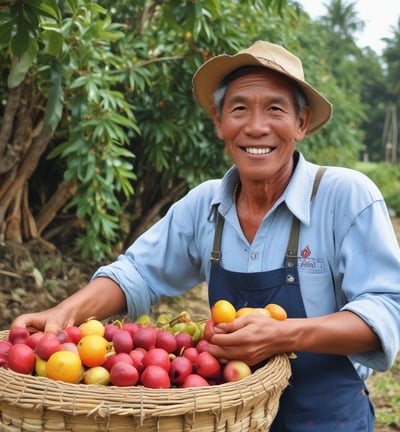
(296, 196)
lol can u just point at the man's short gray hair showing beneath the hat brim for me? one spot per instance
(300, 98)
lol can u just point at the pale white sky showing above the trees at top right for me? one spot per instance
(378, 15)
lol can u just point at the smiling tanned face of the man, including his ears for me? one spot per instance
(260, 126)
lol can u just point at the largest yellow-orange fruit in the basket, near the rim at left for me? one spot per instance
(64, 366)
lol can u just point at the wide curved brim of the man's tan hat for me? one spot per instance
(208, 77)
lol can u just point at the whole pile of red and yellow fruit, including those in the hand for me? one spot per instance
(162, 354)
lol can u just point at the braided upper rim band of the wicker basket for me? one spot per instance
(24, 390)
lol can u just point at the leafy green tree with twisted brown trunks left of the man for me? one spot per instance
(80, 78)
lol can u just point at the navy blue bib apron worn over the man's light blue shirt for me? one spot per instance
(325, 393)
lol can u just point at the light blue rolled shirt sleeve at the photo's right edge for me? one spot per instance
(370, 264)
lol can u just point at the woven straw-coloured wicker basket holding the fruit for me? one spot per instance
(37, 404)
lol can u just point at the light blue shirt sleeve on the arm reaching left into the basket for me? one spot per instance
(164, 261)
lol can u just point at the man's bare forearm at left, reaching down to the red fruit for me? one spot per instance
(99, 299)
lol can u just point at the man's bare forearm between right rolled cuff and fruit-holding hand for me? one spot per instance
(338, 333)
